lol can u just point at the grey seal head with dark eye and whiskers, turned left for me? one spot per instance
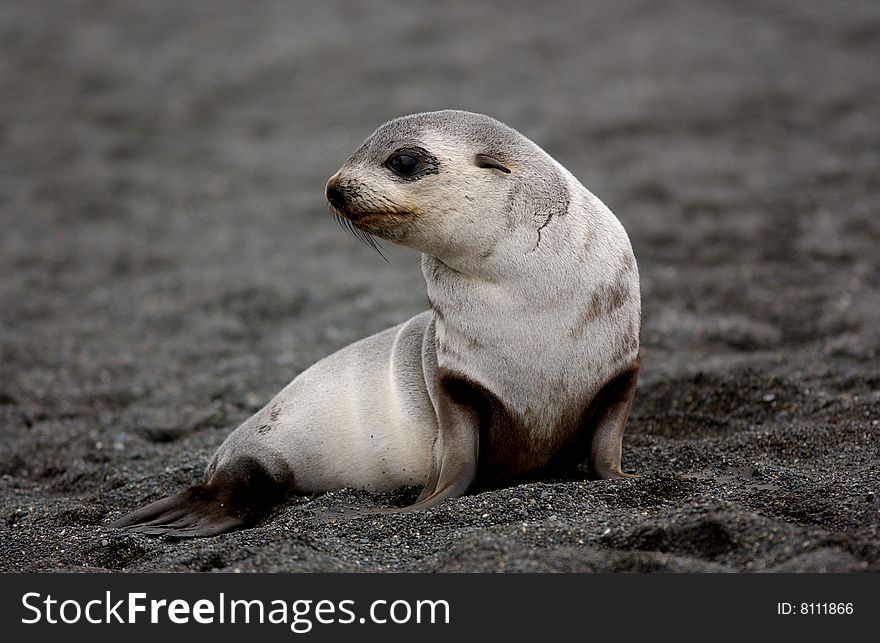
(450, 184)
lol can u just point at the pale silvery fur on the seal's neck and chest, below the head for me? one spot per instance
(523, 305)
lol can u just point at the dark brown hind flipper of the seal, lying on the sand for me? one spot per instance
(237, 495)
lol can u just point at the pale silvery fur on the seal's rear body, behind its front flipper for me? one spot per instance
(359, 418)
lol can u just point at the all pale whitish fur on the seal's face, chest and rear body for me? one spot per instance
(510, 299)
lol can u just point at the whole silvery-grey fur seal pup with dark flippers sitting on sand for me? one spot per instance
(525, 364)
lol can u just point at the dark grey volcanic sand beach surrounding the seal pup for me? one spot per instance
(168, 263)
